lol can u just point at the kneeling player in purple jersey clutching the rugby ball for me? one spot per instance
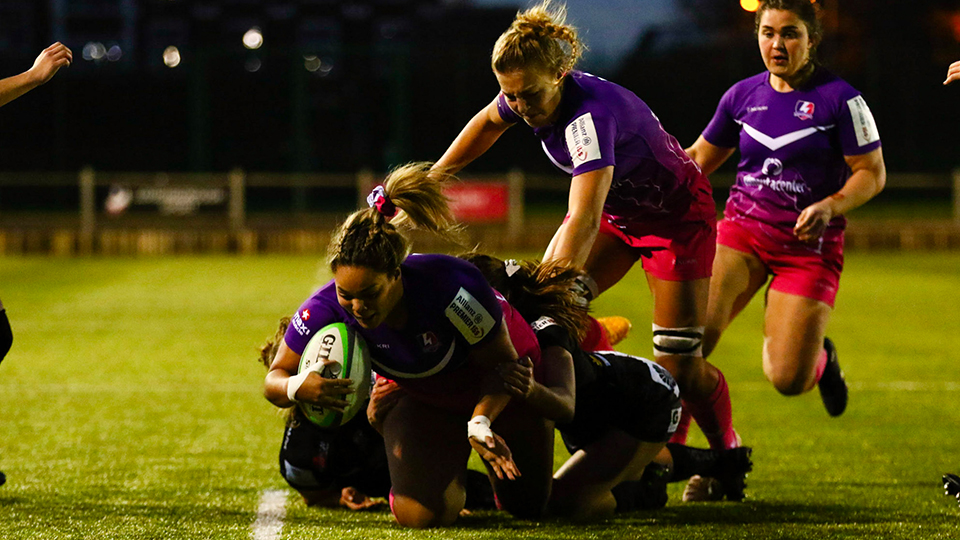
(434, 325)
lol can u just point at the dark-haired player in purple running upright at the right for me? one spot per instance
(809, 153)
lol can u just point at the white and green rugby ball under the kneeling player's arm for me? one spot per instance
(337, 352)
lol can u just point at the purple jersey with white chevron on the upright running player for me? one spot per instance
(791, 145)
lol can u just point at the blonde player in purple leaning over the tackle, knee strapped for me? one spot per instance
(634, 194)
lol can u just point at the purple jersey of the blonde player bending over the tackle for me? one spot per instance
(602, 124)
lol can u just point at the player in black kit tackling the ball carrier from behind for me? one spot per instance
(626, 407)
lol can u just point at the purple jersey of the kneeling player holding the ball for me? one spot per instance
(450, 307)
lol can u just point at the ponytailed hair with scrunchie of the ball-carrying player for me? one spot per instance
(370, 239)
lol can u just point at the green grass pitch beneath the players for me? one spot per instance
(130, 407)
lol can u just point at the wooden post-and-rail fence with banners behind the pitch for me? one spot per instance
(134, 212)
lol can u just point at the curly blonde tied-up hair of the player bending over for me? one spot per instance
(539, 38)
